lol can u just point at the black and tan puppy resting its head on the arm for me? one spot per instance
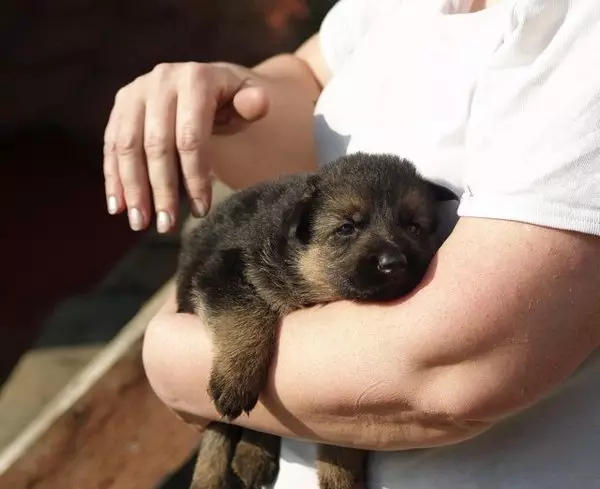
(361, 228)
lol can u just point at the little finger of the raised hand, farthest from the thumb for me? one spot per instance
(112, 180)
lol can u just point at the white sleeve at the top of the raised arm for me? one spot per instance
(346, 24)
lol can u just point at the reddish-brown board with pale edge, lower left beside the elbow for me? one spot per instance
(106, 430)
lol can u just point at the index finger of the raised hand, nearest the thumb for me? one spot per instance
(196, 106)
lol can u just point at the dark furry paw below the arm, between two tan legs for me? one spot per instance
(254, 466)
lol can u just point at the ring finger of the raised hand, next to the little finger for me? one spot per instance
(132, 164)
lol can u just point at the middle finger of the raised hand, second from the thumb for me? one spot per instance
(159, 144)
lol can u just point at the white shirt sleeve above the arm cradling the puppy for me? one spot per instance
(533, 140)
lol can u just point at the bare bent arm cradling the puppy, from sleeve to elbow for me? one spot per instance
(506, 313)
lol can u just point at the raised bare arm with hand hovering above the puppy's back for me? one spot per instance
(246, 125)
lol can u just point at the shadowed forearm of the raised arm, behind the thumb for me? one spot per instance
(280, 143)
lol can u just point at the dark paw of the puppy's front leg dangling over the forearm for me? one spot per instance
(233, 394)
